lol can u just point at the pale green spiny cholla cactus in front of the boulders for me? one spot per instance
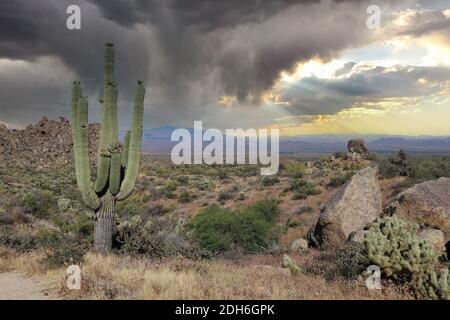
(392, 245)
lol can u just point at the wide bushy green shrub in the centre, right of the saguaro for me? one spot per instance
(218, 229)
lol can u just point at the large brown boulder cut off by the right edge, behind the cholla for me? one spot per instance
(427, 204)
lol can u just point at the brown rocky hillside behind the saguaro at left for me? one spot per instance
(42, 144)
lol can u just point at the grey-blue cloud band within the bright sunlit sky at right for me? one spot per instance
(313, 96)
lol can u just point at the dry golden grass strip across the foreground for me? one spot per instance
(252, 277)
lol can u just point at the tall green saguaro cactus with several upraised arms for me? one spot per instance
(117, 167)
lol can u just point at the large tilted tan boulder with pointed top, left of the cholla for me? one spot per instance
(354, 205)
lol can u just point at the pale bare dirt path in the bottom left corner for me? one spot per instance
(16, 286)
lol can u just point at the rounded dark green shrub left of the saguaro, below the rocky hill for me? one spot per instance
(39, 203)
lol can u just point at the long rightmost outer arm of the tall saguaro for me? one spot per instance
(134, 152)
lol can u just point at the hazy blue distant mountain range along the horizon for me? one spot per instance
(157, 140)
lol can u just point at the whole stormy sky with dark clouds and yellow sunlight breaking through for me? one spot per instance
(305, 67)
